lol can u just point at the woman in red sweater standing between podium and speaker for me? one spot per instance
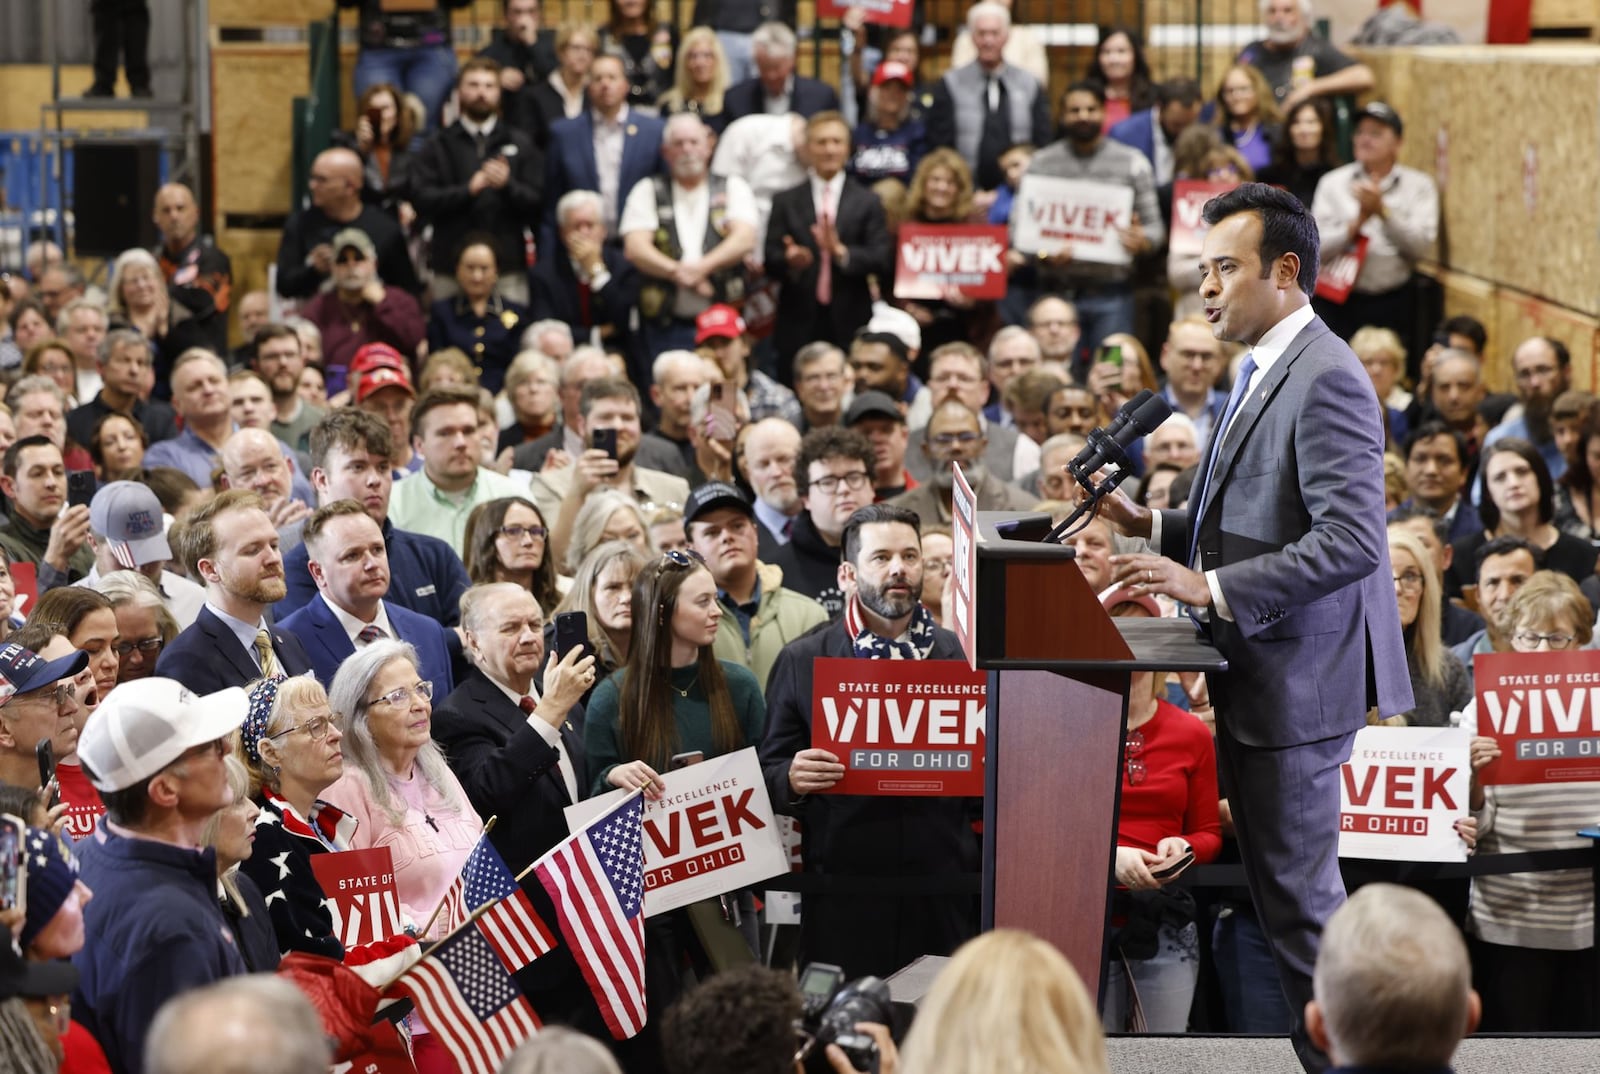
(1167, 820)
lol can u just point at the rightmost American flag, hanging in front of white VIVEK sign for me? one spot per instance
(598, 881)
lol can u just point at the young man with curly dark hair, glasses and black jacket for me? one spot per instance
(834, 478)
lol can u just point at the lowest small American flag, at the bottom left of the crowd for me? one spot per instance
(470, 1001)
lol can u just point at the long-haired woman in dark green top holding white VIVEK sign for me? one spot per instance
(673, 699)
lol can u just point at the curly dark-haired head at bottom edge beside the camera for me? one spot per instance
(740, 1022)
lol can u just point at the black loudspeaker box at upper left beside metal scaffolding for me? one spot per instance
(114, 196)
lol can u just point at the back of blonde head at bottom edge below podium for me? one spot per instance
(1007, 1001)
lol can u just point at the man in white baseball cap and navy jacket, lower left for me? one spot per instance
(154, 929)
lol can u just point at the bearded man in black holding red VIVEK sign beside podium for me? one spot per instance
(857, 835)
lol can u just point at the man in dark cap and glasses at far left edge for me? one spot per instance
(42, 705)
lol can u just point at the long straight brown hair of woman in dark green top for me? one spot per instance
(647, 723)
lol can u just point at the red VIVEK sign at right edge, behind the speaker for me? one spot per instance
(1545, 713)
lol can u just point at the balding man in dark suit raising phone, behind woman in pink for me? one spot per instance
(511, 740)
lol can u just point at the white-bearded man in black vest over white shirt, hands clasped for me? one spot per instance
(689, 236)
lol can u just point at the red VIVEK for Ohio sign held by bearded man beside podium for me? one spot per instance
(902, 727)
